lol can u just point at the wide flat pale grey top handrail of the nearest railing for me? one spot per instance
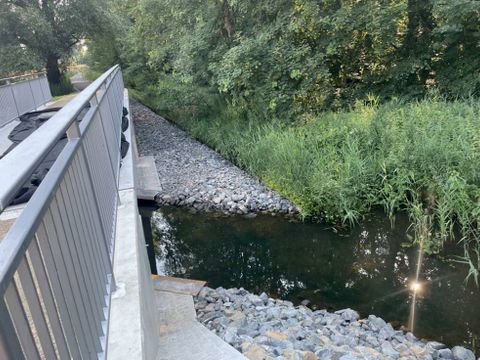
(17, 166)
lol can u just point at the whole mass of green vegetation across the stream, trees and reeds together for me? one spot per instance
(341, 106)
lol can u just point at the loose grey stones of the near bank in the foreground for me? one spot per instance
(263, 329)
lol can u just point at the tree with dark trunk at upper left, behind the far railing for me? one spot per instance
(36, 34)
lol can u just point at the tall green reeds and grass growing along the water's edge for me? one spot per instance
(422, 158)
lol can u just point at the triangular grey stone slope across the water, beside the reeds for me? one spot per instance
(193, 175)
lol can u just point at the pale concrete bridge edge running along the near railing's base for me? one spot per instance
(133, 325)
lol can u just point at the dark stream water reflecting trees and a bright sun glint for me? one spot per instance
(366, 269)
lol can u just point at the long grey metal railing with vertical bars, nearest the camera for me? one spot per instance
(56, 260)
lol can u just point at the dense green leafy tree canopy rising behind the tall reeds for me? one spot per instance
(305, 55)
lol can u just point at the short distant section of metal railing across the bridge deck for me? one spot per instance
(21, 94)
